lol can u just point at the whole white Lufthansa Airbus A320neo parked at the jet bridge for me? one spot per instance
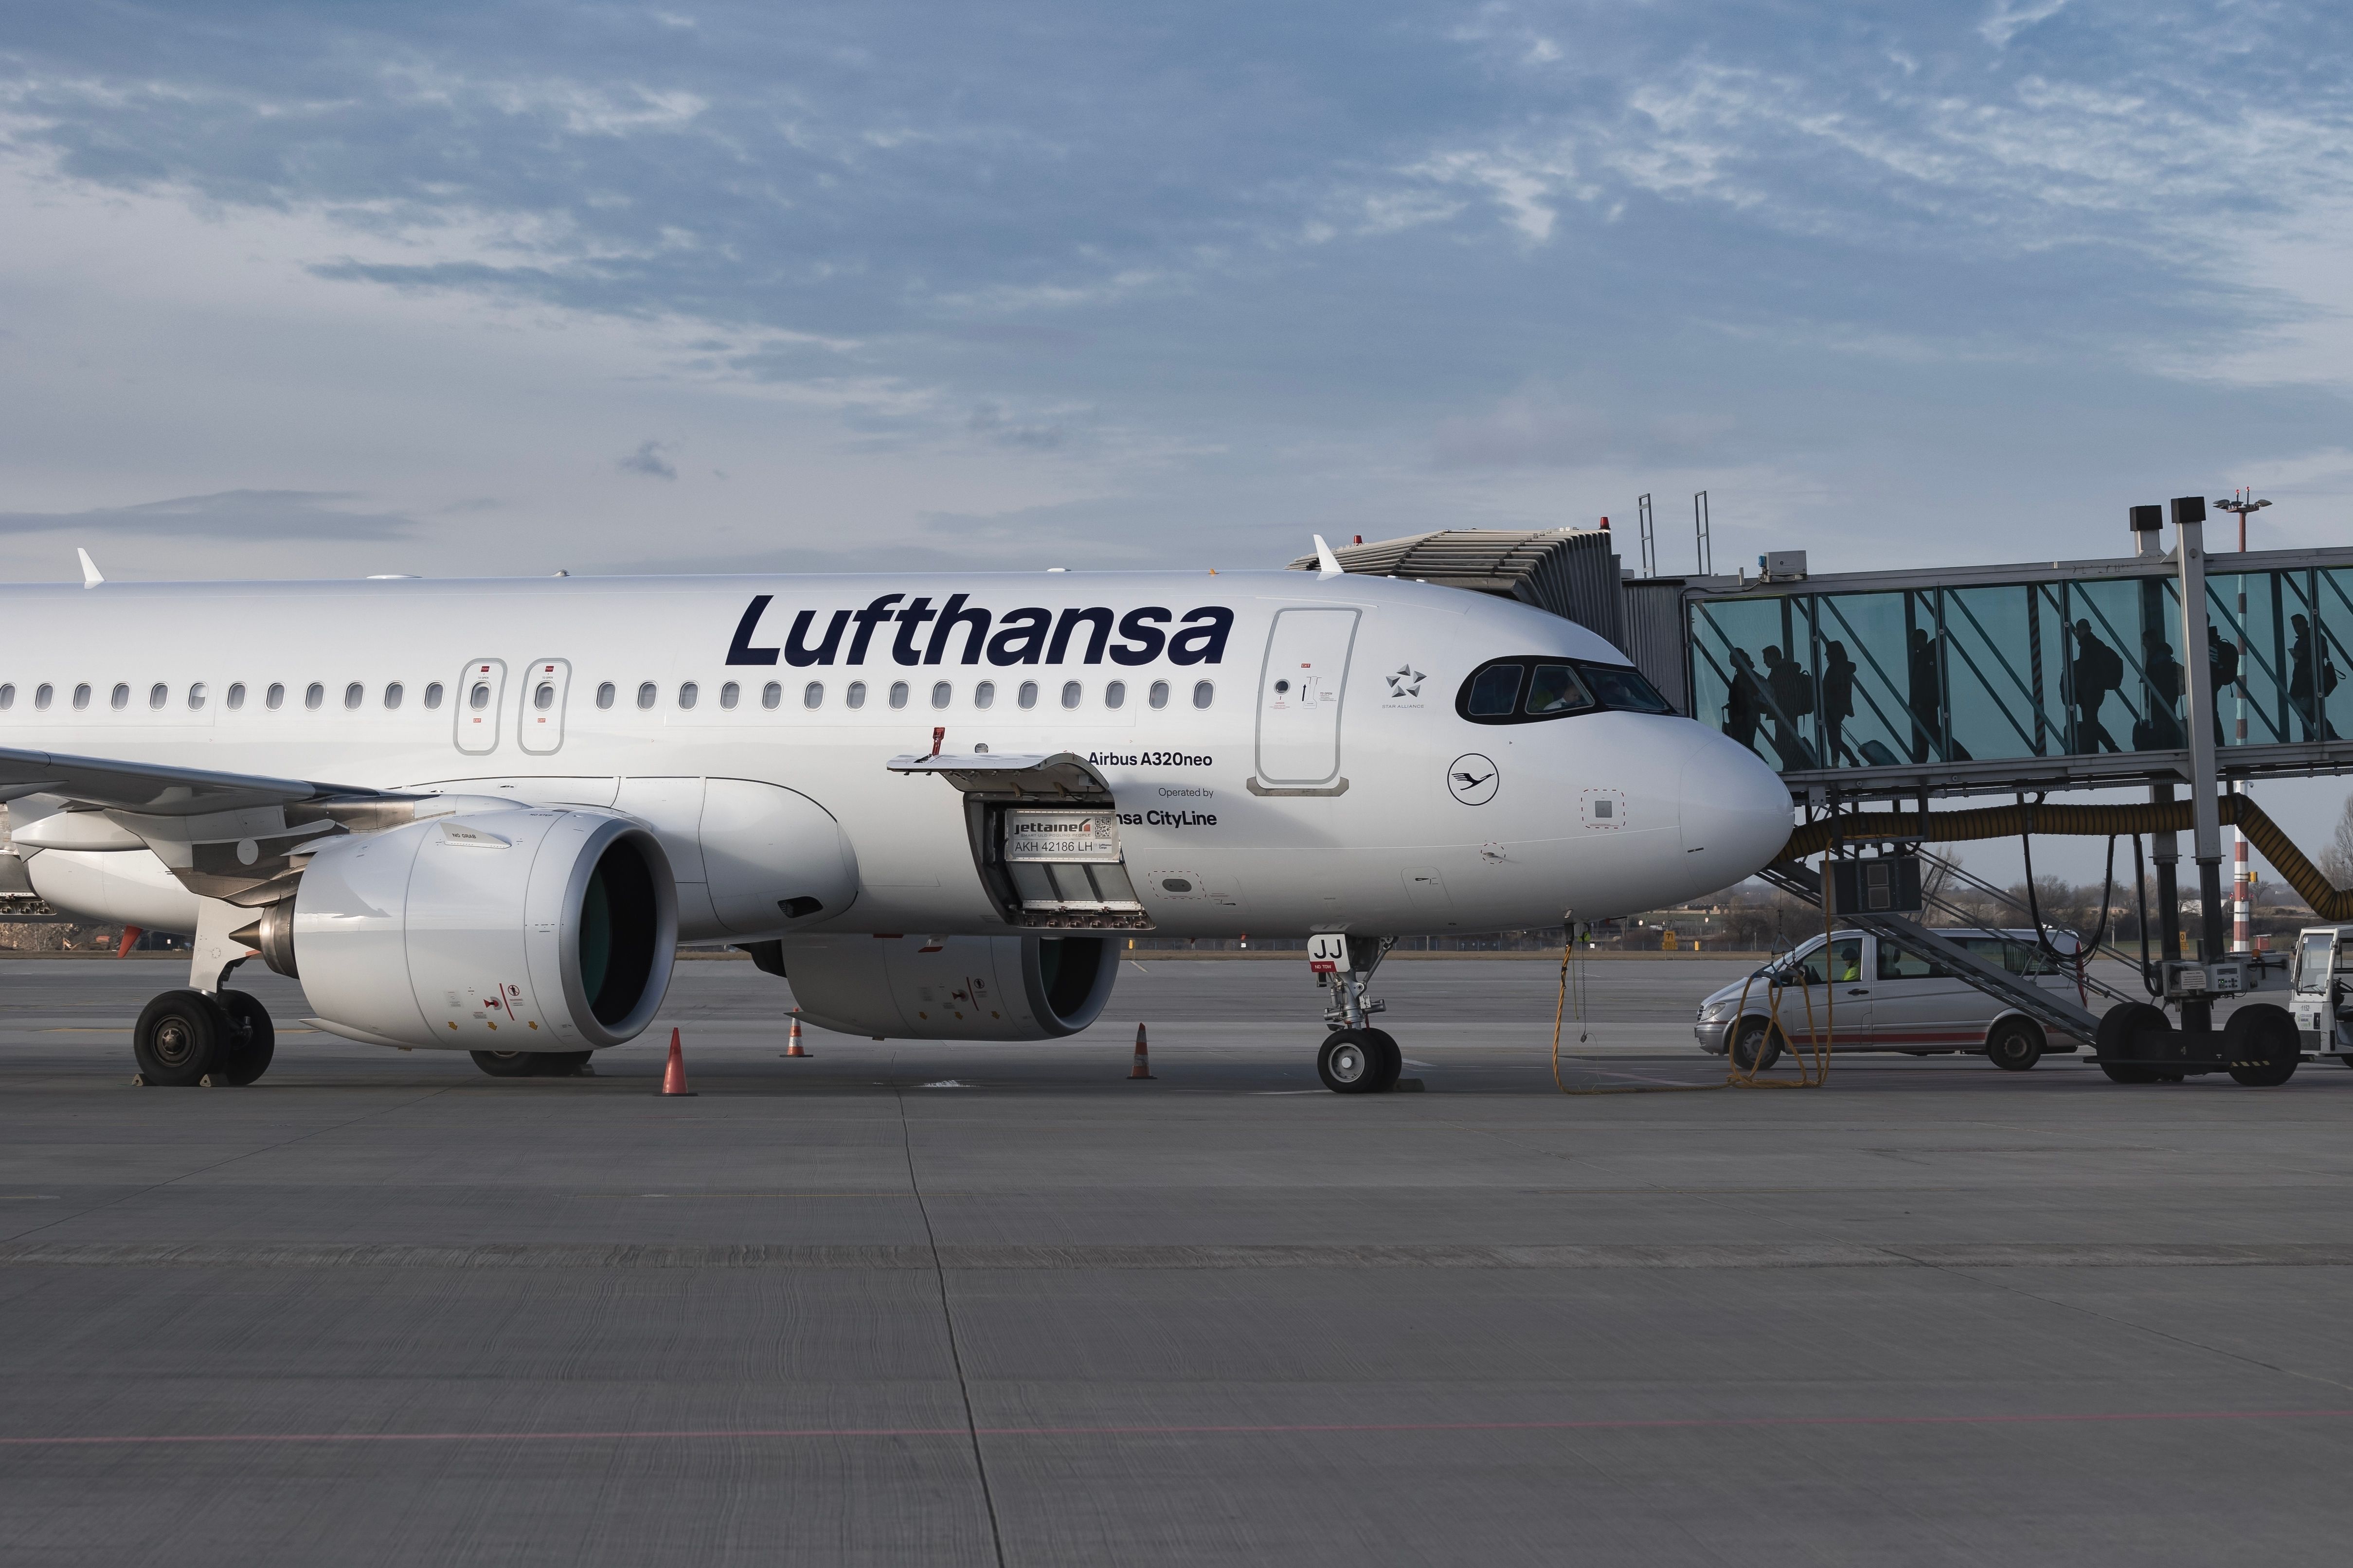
(484, 815)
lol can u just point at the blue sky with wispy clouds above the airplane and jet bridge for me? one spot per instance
(507, 288)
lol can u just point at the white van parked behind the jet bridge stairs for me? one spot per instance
(1893, 1000)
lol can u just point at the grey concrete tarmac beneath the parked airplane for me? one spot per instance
(919, 1304)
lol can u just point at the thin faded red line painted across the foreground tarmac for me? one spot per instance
(1220, 1430)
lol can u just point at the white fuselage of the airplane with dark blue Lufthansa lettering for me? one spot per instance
(1319, 808)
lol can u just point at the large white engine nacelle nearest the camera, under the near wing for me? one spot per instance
(484, 932)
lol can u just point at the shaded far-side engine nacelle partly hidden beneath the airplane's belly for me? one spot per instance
(952, 986)
